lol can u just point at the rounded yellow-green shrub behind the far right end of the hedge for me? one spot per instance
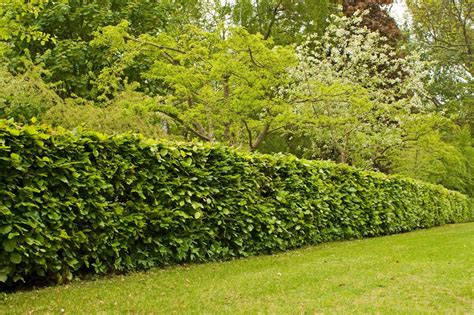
(436, 150)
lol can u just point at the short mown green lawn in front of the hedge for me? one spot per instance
(429, 271)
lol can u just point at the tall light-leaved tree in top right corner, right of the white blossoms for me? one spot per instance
(446, 30)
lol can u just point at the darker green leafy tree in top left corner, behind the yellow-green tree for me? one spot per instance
(58, 34)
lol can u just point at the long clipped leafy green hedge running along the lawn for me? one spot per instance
(78, 204)
